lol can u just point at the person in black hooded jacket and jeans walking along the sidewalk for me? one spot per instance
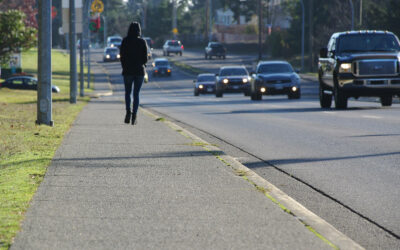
(133, 54)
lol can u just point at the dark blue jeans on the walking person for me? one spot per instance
(137, 81)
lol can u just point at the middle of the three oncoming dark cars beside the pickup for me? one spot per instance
(232, 79)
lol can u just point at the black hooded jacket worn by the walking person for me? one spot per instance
(133, 52)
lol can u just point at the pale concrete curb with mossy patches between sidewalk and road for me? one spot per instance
(322, 229)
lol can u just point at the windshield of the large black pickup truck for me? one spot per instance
(367, 42)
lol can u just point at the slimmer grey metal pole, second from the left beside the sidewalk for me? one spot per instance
(72, 53)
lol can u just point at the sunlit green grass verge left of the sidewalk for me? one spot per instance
(26, 149)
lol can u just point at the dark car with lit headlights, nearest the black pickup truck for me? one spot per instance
(275, 78)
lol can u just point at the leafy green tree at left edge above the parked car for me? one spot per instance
(16, 35)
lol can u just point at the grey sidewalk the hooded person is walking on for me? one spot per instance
(117, 186)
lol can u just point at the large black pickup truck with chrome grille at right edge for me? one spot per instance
(359, 63)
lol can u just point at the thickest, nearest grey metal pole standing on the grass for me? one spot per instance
(44, 105)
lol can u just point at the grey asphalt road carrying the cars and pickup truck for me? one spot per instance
(342, 165)
